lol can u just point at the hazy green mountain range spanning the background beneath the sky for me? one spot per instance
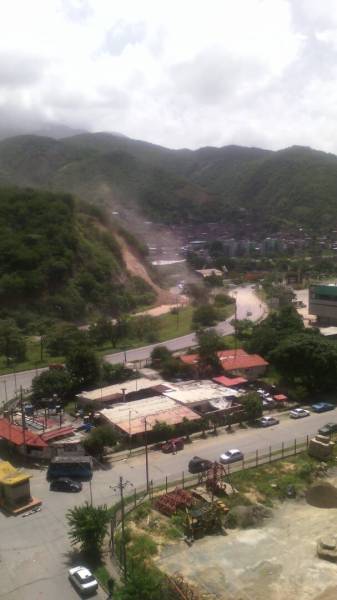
(276, 190)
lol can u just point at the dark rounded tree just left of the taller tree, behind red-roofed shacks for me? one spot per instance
(48, 383)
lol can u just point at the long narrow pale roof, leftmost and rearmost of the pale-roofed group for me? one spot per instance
(121, 392)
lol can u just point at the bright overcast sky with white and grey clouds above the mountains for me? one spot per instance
(181, 73)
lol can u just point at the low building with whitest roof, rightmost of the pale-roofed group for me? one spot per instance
(203, 395)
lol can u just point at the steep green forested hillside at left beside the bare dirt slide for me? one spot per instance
(57, 259)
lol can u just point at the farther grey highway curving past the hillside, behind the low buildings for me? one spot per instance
(246, 301)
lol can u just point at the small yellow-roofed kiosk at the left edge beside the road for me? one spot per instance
(15, 494)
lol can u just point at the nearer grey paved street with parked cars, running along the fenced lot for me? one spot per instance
(34, 551)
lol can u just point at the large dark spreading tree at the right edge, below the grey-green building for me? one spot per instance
(307, 358)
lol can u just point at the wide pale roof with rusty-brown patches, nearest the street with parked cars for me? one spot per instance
(134, 418)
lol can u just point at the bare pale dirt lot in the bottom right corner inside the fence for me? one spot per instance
(277, 561)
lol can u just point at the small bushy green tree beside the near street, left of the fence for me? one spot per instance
(87, 527)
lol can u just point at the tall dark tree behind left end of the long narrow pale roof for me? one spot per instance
(83, 367)
